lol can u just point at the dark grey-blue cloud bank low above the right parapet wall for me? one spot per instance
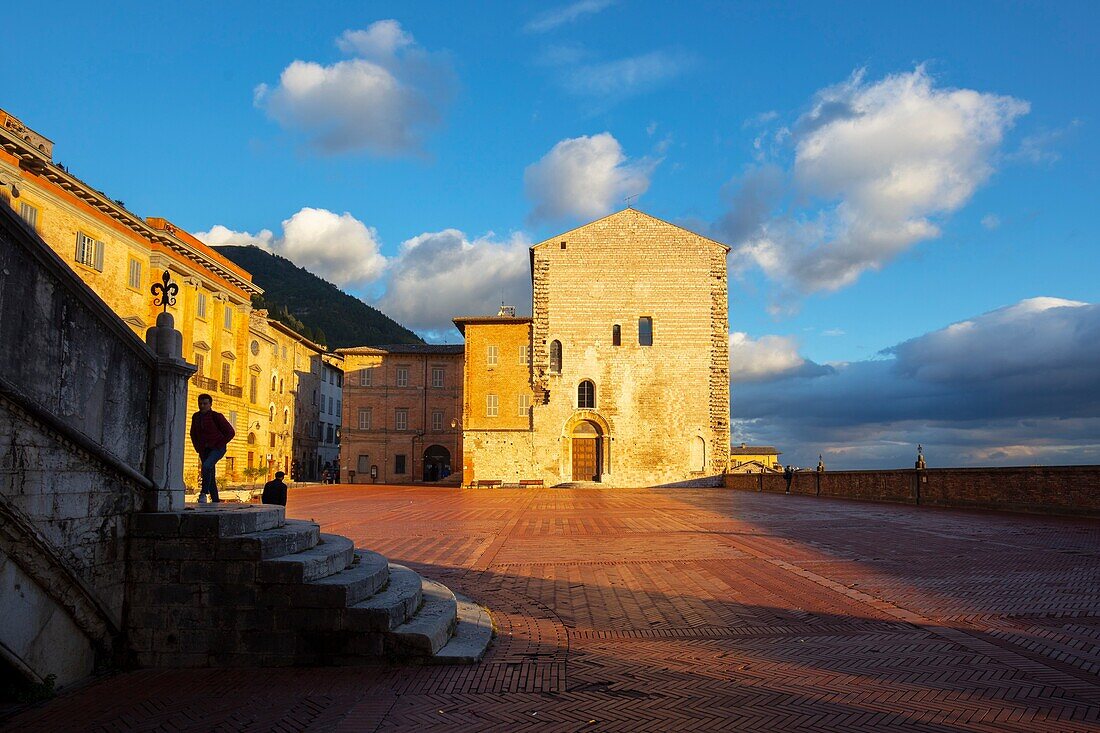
(1017, 385)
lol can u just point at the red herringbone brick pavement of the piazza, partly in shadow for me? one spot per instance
(684, 610)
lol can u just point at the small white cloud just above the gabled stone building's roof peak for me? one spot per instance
(585, 179)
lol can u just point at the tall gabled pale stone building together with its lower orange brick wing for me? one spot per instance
(621, 376)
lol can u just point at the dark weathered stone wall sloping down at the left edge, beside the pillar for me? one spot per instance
(75, 391)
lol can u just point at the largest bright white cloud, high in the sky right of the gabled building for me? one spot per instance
(875, 166)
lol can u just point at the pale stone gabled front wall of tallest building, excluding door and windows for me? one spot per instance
(656, 400)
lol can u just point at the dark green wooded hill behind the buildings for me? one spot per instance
(314, 308)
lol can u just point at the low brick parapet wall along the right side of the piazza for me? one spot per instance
(1070, 490)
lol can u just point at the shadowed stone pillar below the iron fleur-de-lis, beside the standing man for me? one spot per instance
(168, 418)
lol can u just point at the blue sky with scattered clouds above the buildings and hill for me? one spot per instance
(883, 171)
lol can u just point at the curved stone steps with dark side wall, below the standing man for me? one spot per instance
(221, 586)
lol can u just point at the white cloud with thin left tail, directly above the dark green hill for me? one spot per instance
(337, 247)
